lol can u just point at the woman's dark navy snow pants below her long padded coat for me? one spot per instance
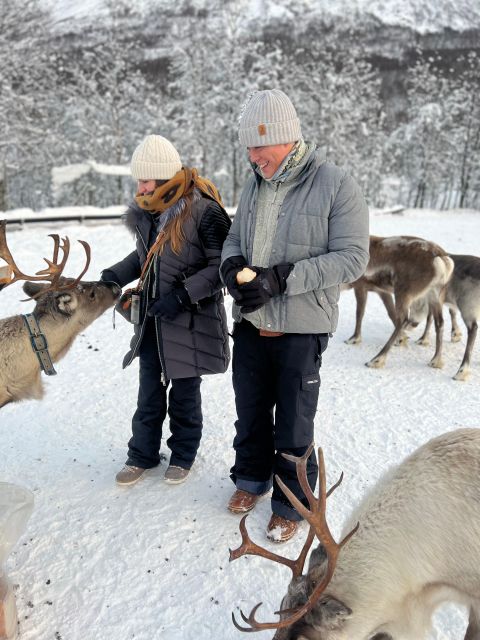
(184, 409)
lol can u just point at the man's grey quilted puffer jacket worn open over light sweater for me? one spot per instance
(322, 228)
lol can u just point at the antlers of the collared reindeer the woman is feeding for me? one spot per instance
(54, 270)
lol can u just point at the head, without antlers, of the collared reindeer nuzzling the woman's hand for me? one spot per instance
(81, 300)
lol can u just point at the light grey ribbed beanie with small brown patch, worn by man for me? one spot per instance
(268, 117)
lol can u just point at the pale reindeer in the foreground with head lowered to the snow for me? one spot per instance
(416, 548)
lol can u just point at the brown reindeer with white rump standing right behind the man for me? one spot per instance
(416, 272)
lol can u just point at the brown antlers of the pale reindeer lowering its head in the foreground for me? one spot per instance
(316, 517)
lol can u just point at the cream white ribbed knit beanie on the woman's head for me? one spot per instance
(155, 159)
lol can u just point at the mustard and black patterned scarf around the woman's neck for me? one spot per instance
(183, 183)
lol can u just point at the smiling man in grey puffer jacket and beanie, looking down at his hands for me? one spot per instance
(302, 227)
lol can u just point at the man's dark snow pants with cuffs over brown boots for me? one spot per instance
(276, 382)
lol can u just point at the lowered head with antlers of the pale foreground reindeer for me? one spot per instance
(306, 613)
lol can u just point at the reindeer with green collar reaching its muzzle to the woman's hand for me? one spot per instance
(64, 307)
